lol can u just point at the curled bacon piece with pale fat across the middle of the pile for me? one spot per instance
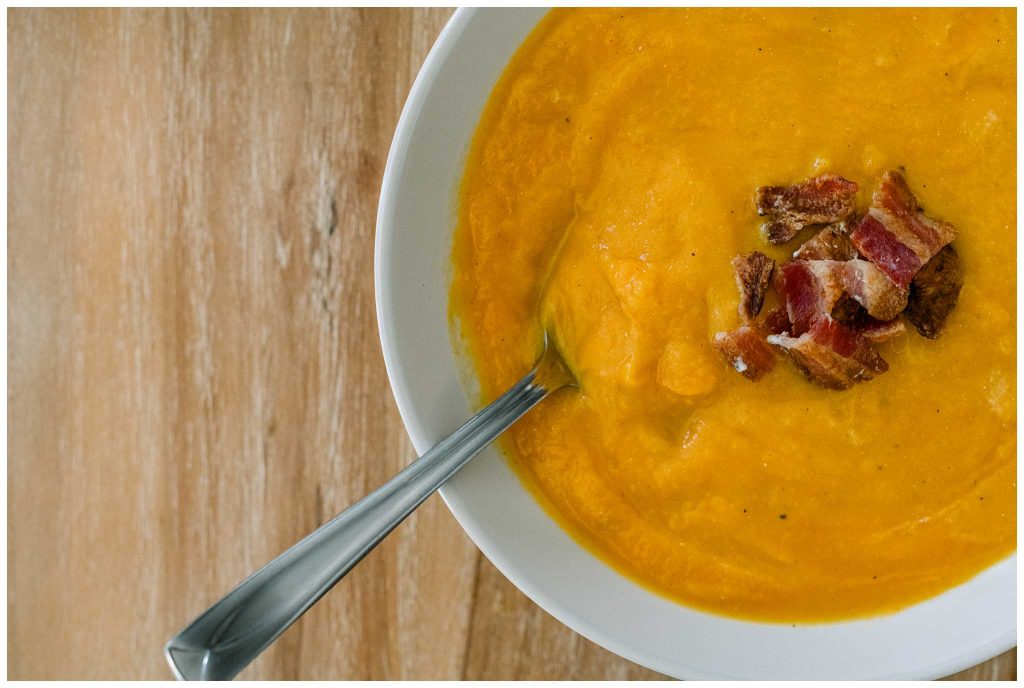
(813, 288)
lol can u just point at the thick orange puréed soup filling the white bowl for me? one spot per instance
(610, 184)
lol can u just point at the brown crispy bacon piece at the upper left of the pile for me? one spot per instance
(826, 199)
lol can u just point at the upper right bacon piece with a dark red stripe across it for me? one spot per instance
(895, 235)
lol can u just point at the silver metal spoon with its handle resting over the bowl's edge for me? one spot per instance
(232, 633)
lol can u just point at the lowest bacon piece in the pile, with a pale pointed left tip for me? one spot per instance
(832, 356)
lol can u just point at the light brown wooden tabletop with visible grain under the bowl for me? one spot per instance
(195, 376)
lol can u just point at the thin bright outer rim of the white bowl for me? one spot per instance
(421, 439)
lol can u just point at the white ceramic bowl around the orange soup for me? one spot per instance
(417, 214)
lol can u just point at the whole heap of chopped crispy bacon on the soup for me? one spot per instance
(847, 286)
